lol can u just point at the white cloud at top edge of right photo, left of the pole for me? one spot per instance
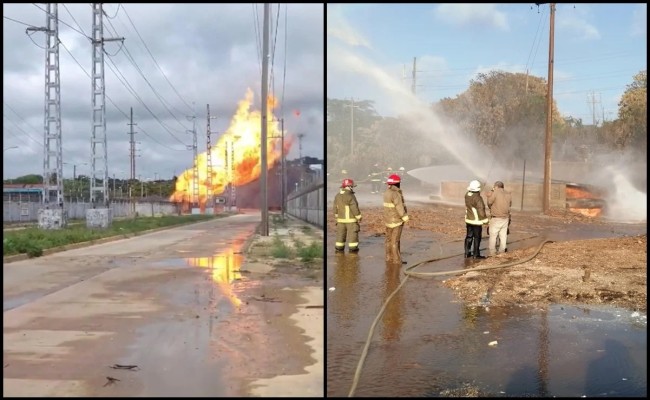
(475, 15)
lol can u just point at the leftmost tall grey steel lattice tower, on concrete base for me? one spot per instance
(52, 140)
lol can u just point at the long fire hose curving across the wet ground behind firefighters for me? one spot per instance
(408, 272)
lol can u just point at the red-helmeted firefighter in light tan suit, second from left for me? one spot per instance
(395, 215)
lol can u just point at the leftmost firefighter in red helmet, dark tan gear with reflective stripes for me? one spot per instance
(347, 216)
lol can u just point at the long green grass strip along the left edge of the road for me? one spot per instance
(33, 241)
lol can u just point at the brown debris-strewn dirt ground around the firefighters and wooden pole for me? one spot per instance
(611, 271)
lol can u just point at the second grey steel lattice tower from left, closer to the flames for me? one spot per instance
(98, 149)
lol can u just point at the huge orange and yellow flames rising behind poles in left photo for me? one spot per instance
(237, 152)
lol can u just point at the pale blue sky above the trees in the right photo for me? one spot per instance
(598, 48)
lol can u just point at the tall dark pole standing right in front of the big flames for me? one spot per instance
(264, 229)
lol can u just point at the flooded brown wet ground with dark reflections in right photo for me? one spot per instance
(428, 343)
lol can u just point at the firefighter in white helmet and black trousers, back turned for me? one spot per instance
(475, 218)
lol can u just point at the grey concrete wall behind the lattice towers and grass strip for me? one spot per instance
(28, 212)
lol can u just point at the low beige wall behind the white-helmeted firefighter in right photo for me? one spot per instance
(454, 192)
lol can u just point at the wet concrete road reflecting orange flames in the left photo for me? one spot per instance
(155, 315)
